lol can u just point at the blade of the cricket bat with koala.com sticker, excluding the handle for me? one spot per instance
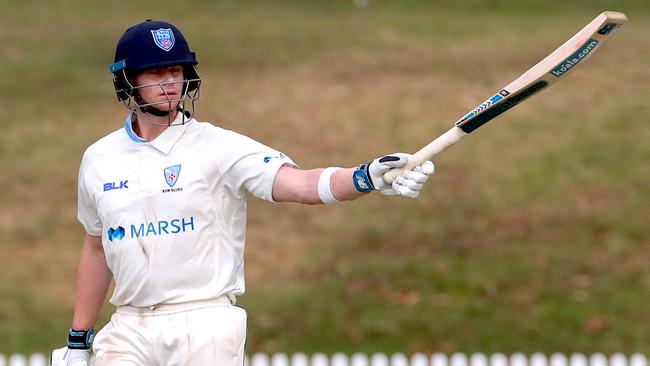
(546, 72)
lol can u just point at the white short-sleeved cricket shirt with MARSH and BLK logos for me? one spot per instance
(172, 212)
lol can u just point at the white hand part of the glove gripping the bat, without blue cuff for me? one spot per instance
(408, 184)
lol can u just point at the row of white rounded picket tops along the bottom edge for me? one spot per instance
(400, 359)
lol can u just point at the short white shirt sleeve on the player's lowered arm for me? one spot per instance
(86, 203)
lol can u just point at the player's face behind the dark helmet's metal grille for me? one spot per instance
(161, 86)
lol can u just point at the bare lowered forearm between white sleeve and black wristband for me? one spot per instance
(93, 279)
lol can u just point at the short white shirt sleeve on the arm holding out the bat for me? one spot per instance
(256, 167)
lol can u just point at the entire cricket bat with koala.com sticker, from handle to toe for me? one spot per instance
(539, 77)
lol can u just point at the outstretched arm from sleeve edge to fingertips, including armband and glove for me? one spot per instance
(331, 185)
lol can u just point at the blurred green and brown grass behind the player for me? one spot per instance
(533, 234)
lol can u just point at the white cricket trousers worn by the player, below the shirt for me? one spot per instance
(200, 333)
